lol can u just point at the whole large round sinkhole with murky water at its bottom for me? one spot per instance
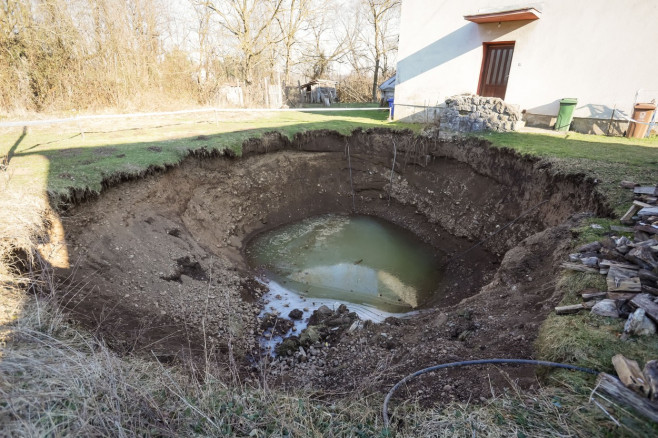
(458, 237)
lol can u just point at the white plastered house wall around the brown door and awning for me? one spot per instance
(599, 51)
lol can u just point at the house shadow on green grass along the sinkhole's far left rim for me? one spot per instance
(83, 168)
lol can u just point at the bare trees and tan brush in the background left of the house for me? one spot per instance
(77, 54)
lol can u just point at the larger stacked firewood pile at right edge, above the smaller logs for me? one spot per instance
(630, 267)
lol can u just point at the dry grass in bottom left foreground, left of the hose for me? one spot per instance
(56, 380)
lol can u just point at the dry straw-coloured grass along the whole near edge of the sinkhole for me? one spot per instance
(57, 380)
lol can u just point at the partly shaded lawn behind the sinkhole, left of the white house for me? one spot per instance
(55, 159)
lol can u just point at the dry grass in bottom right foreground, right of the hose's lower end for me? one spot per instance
(559, 410)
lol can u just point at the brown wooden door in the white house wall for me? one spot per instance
(495, 69)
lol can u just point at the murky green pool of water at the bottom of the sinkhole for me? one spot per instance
(376, 268)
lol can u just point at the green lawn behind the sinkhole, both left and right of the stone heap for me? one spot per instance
(57, 158)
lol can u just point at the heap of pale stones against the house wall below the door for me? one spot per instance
(471, 113)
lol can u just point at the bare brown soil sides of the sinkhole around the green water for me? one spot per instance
(158, 264)
